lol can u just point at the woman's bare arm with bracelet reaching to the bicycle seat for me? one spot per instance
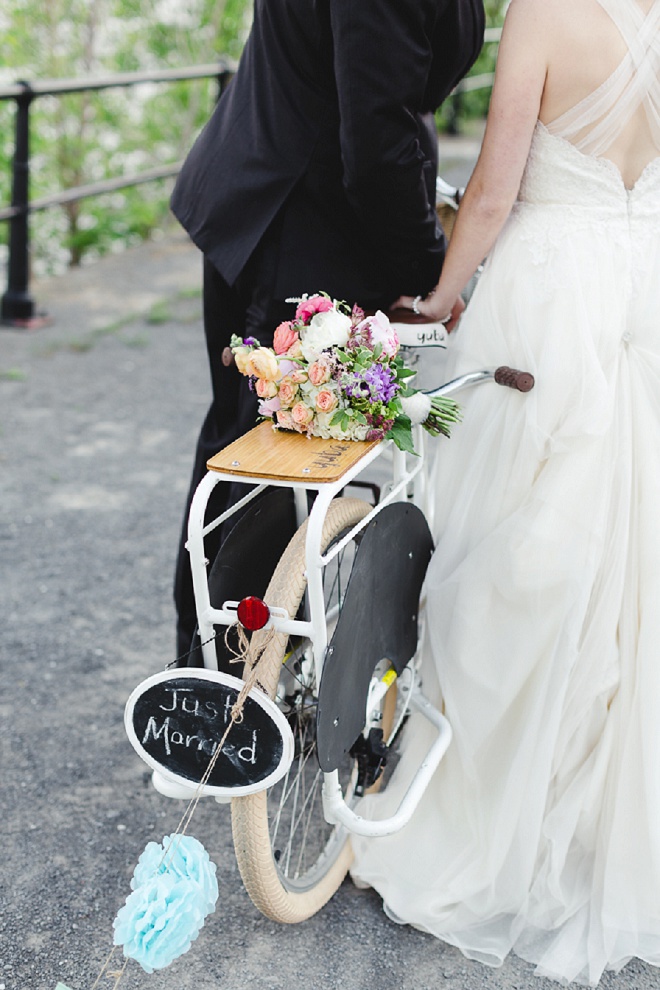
(492, 189)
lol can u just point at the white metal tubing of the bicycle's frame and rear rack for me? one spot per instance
(409, 480)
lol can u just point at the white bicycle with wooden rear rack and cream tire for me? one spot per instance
(326, 588)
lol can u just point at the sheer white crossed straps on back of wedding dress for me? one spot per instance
(600, 117)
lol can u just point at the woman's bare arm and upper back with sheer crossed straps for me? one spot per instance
(589, 70)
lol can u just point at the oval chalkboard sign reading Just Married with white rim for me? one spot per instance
(176, 719)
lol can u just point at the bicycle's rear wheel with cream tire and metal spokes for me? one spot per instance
(291, 860)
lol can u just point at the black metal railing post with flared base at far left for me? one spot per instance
(17, 307)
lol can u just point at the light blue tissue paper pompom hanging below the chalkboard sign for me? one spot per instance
(174, 889)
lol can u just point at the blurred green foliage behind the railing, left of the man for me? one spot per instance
(88, 137)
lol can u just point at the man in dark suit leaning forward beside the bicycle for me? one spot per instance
(316, 172)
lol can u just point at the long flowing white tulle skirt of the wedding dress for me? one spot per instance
(540, 831)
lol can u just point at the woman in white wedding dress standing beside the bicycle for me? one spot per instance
(540, 832)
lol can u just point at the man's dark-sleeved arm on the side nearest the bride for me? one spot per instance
(382, 54)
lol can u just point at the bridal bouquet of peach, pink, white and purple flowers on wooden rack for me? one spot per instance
(334, 373)
